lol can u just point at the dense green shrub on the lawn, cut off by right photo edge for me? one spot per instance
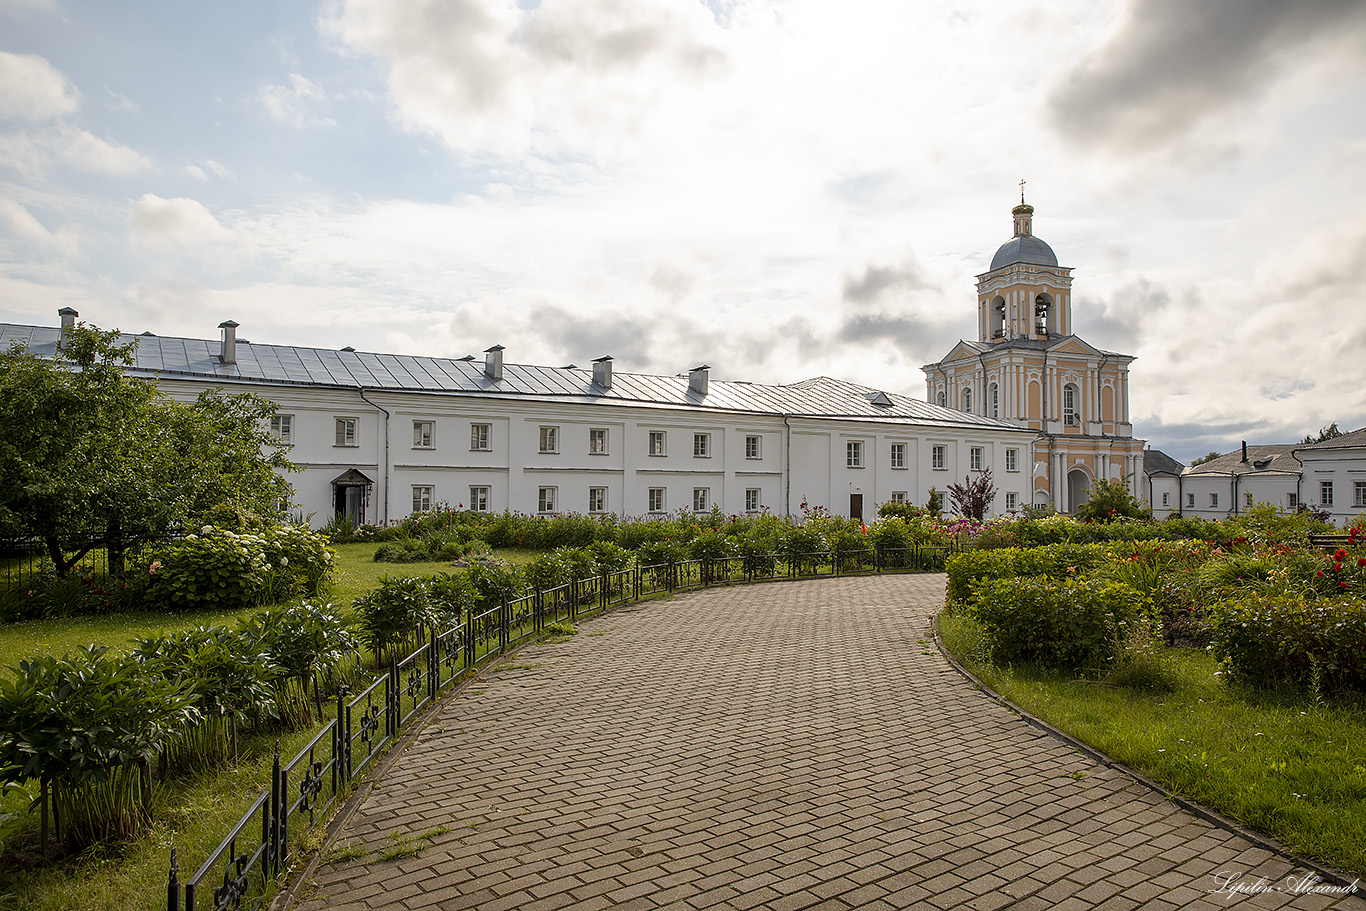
(1311, 645)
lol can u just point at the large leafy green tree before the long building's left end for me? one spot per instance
(96, 458)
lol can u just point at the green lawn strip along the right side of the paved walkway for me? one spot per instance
(1272, 761)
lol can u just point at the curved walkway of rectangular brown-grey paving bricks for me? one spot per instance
(778, 746)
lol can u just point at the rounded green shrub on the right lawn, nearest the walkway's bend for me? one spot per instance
(1069, 625)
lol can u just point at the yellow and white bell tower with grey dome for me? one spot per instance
(1028, 368)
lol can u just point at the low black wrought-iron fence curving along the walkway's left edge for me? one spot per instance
(242, 872)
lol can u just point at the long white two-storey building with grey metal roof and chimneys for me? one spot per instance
(382, 436)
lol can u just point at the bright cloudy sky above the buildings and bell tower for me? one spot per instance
(781, 189)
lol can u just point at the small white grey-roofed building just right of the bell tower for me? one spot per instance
(1242, 479)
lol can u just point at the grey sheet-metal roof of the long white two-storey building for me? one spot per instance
(171, 359)
